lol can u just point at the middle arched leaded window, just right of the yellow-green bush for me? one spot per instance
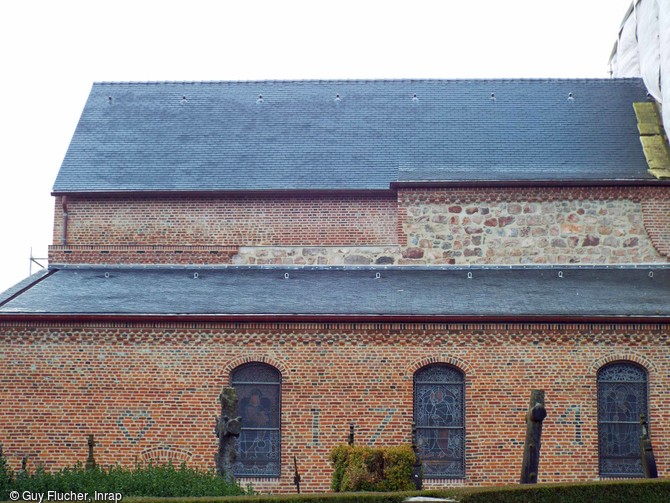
(439, 414)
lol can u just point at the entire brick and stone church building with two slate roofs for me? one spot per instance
(375, 253)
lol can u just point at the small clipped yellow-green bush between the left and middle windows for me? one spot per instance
(361, 468)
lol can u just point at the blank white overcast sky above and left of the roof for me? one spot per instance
(53, 51)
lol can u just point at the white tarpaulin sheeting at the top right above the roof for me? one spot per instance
(643, 49)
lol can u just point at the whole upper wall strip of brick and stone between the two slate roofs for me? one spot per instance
(458, 226)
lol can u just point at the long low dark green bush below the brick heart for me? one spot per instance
(153, 480)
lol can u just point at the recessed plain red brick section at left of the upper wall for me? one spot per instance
(241, 220)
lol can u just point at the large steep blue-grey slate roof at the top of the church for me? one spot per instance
(210, 136)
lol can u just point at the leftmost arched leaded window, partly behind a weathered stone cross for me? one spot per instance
(258, 389)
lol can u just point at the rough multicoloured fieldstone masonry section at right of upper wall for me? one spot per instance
(529, 226)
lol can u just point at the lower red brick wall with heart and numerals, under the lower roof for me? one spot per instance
(150, 392)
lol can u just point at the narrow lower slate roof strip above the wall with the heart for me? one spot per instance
(494, 292)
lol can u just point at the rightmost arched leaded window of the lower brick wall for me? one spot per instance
(622, 397)
